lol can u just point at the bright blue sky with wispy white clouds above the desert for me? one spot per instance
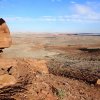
(71, 16)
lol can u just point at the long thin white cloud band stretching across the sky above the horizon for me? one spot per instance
(52, 19)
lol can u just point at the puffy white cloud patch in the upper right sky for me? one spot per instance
(85, 12)
